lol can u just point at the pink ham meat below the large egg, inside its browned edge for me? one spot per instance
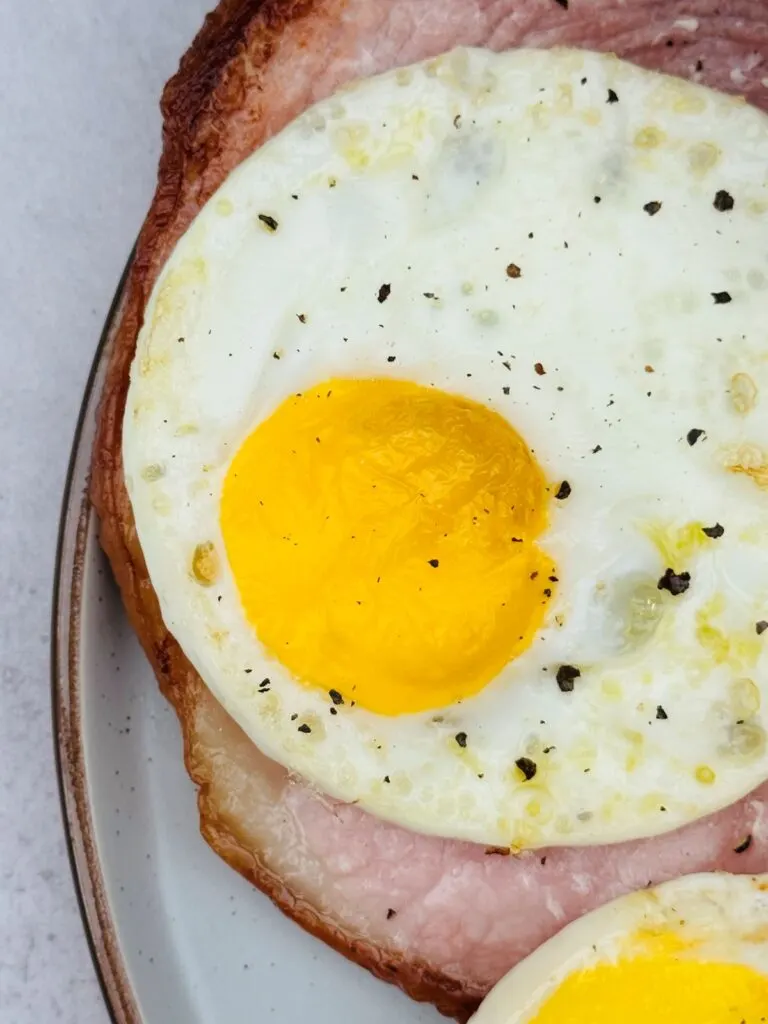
(467, 911)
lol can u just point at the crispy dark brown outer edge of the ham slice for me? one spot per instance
(205, 92)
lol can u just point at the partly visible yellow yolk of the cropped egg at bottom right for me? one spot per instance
(660, 991)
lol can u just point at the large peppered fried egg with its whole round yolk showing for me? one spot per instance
(446, 441)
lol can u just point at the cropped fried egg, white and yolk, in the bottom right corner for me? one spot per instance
(689, 952)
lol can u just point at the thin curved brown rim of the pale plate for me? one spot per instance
(69, 749)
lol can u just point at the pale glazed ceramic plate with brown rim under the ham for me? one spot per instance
(178, 937)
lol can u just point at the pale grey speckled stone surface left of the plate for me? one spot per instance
(79, 140)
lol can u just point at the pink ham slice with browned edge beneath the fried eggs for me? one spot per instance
(444, 920)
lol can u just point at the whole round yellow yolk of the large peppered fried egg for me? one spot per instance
(382, 538)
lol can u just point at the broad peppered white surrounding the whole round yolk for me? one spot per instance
(434, 180)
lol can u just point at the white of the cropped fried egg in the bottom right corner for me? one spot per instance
(724, 919)
